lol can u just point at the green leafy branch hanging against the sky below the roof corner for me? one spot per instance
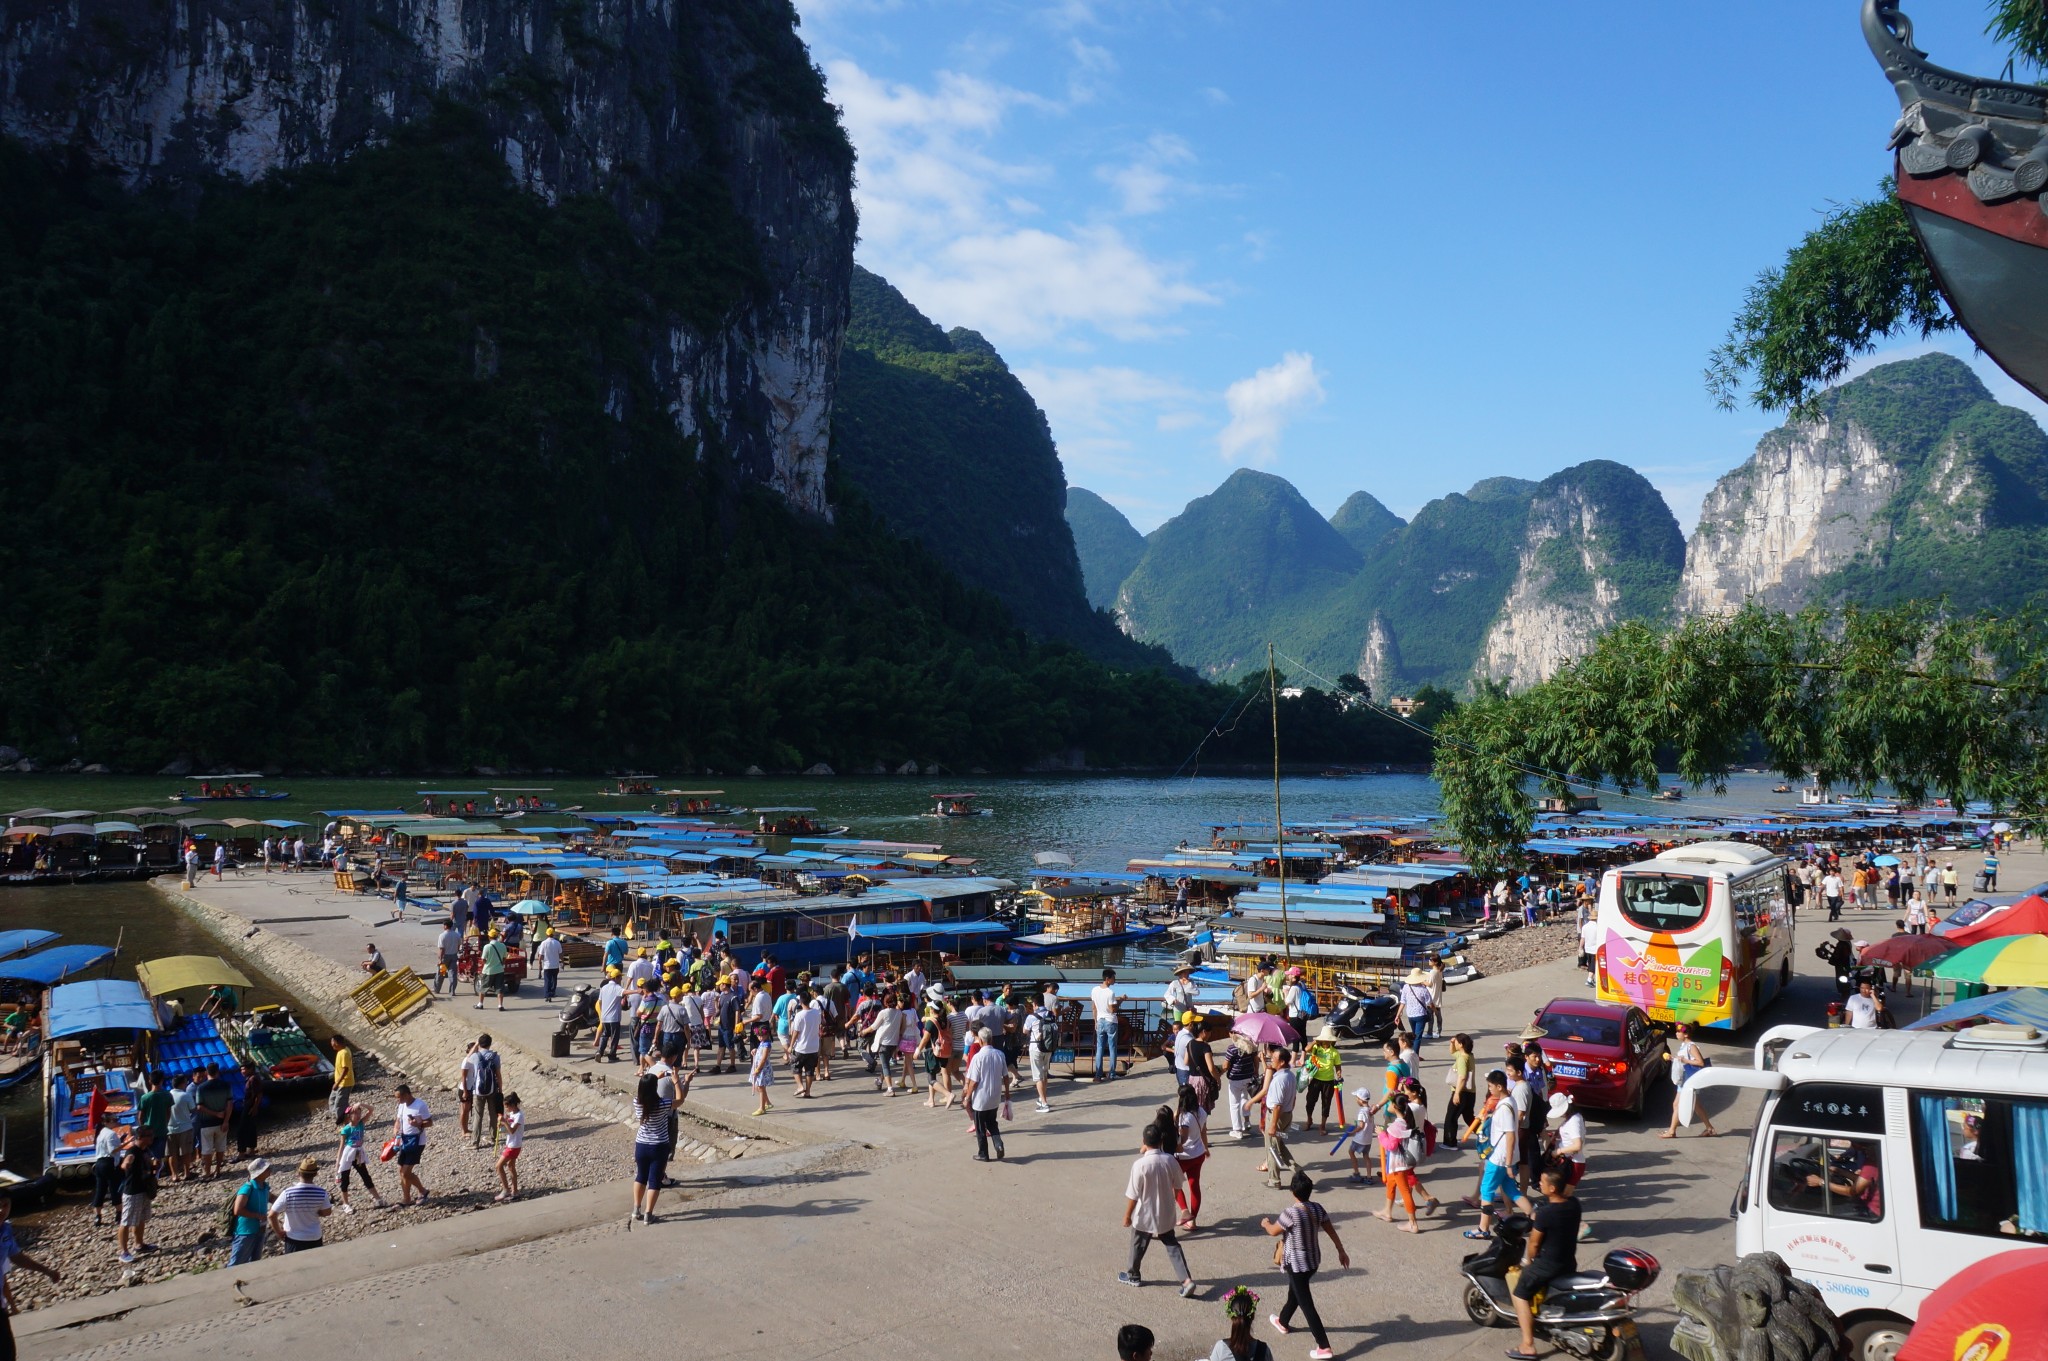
(1859, 277)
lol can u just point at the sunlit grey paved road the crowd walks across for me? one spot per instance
(888, 1239)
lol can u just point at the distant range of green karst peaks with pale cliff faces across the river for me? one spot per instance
(1914, 482)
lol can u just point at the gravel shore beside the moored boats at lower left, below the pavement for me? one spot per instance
(562, 1153)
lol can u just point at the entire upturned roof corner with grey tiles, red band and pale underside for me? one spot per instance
(1973, 177)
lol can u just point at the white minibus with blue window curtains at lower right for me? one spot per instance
(1887, 1161)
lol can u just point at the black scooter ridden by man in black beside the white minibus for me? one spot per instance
(1586, 1315)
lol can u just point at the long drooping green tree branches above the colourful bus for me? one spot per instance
(1910, 697)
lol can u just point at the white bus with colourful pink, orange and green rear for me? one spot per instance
(1701, 934)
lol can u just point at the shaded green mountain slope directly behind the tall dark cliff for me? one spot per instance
(943, 441)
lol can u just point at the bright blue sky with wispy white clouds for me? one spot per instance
(1361, 245)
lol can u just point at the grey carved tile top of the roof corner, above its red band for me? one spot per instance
(1994, 134)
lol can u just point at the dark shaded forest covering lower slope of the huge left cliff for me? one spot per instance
(359, 468)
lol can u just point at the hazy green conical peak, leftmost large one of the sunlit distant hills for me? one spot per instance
(1215, 576)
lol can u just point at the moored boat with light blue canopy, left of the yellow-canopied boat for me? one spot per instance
(99, 1037)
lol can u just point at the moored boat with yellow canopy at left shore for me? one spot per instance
(267, 1037)
